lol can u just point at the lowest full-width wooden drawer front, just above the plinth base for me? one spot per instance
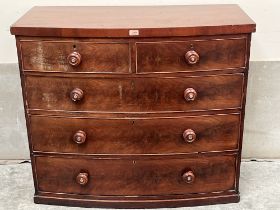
(135, 177)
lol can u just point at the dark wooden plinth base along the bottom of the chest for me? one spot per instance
(191, 200)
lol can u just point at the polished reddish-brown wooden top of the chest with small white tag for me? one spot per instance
(150, 21)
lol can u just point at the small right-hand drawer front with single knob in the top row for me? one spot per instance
(193, 55)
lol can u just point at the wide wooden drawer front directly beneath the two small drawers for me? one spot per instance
(134, 94)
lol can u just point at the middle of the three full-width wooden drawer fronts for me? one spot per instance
(135, 136)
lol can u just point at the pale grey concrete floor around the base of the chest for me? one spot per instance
(259, 188)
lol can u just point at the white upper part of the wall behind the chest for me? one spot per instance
(265, 45)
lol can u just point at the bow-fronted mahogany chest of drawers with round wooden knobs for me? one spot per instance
(134, 107)
